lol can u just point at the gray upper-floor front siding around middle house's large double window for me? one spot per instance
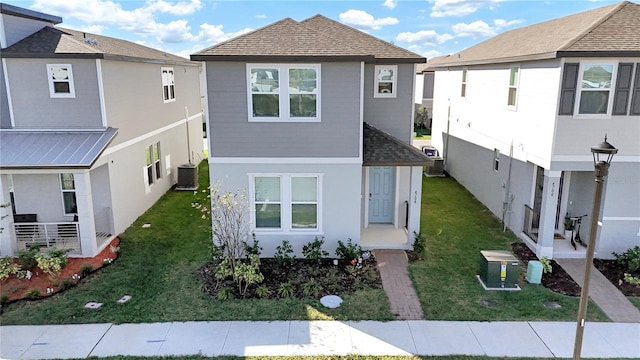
(232, 135)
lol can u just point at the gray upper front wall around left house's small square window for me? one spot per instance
(33, 106)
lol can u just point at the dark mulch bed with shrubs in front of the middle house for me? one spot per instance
(332, 279)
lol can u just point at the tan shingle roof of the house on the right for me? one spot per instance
(612, 29)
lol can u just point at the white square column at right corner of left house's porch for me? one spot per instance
(84, 200)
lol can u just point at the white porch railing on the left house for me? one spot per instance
(61, 235)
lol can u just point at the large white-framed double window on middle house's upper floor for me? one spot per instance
(283, 92)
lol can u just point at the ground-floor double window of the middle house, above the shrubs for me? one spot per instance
(286, 202)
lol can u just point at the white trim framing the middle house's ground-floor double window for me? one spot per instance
(285, 204)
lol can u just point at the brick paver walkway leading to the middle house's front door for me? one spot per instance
(392, 265)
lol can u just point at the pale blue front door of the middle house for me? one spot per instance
(381, 194)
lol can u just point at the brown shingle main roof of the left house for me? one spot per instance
(59, 42)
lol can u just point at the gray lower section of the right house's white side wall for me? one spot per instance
(472, 167)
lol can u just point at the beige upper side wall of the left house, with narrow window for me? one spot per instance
(133, 97)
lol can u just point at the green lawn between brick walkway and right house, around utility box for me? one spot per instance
(458, 227)
